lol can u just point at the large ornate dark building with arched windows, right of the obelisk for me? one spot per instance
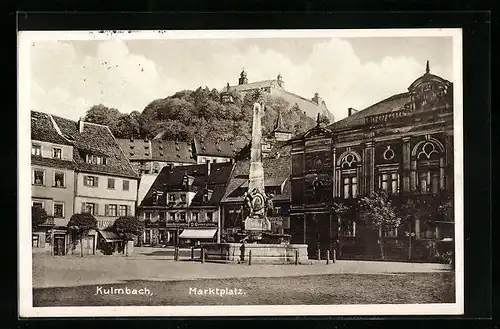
(402, 146)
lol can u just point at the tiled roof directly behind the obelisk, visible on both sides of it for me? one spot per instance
(276, 173)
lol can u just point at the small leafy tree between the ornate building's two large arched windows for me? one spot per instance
(383, 215)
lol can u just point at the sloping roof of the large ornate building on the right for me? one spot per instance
(390, 104)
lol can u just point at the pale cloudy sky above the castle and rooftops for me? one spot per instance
(68, 77)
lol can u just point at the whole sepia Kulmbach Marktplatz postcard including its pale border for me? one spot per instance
(234, 173)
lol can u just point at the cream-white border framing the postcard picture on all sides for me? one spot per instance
(25, 300)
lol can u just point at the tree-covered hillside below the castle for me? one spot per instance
(200, 113)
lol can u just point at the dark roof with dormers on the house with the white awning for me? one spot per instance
(170, 179)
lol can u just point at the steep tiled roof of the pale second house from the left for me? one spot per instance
(96, 140)
